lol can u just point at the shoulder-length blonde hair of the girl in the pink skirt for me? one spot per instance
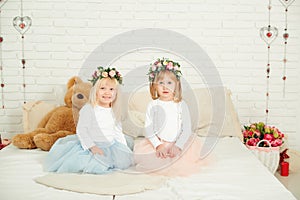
(160, 76)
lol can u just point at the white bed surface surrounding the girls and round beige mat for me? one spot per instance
(234, 174)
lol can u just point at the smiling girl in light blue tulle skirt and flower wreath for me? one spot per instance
(99, 146)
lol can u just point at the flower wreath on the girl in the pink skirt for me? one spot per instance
(164, 64)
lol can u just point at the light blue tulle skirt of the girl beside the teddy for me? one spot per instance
(67, 156)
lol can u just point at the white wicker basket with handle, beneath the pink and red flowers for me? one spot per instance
(269, 156)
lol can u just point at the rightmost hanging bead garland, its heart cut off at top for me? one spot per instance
(286, 4)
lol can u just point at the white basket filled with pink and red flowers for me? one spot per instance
(264, 141)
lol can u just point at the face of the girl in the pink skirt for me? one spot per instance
(165, 88)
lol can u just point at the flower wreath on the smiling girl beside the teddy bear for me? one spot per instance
(104, 73)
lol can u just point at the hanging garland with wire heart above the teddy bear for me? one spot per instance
(22, 24)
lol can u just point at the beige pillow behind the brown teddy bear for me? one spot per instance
(33, 112)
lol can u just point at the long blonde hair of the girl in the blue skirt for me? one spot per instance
(116, 103)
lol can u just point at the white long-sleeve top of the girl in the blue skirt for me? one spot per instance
(97, 124)
